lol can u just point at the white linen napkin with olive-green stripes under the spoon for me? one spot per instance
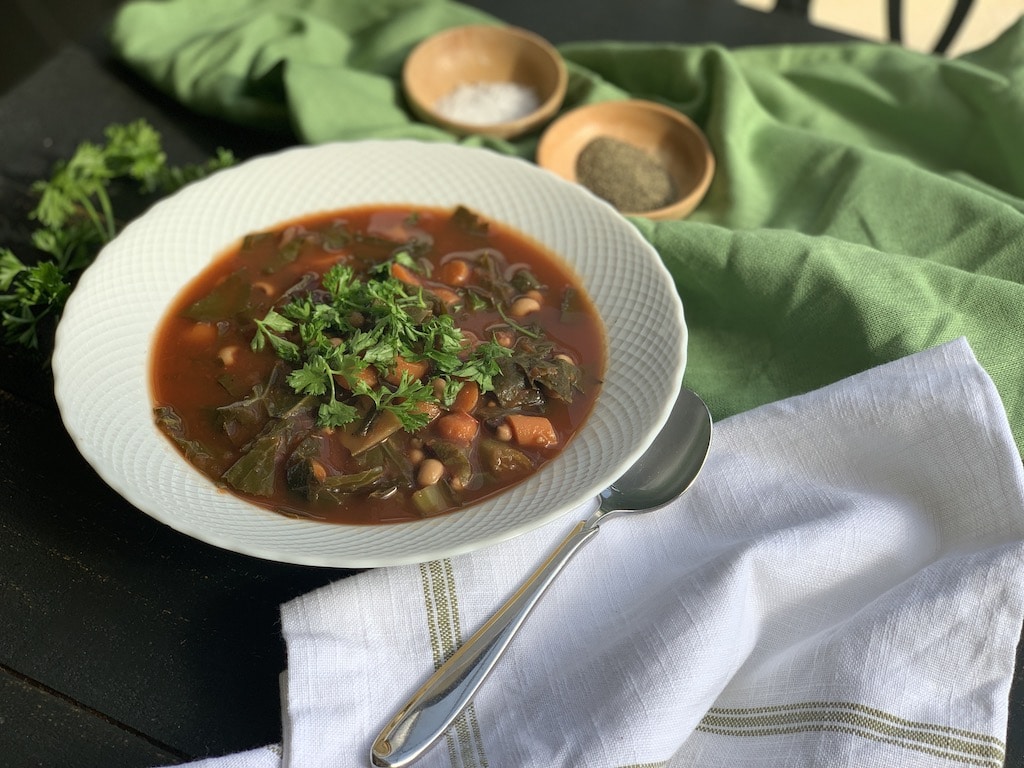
(843, 586)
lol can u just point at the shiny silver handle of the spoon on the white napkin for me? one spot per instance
(443, 698)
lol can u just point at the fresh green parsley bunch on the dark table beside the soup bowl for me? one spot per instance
(76, 218)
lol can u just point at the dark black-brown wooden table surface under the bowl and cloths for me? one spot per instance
(124, 644)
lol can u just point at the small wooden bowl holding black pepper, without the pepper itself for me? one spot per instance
(663, 134)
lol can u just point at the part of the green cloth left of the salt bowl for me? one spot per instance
(274, 64)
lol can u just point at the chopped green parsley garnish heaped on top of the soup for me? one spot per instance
(374, 323)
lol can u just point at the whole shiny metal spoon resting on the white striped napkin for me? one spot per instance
(666, 471)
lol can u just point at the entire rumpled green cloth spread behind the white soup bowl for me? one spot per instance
(869, 201)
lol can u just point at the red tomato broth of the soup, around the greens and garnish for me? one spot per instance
(200, 366)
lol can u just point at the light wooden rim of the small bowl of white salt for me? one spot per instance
(504, 130)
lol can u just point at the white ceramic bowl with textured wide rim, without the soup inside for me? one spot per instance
(102, 359)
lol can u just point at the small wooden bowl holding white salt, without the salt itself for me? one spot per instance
(483, 54)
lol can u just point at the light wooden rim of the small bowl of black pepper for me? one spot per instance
(578, 120)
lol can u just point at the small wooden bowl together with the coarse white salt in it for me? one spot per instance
(499, 81)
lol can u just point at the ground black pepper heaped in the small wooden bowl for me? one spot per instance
(625, 176)
